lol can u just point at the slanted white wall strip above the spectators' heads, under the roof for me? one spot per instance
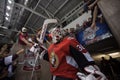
(79, 20)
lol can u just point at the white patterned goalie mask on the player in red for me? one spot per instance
(57, 34)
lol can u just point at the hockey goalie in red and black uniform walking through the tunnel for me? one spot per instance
(66, 56)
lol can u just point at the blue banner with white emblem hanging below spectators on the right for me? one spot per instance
(88, 35)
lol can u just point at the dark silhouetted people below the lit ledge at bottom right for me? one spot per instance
(110, 68)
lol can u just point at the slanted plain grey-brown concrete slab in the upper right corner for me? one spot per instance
(111, 12)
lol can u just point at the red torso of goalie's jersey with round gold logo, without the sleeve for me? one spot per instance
(61, 62)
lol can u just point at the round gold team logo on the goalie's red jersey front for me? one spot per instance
(54, 59)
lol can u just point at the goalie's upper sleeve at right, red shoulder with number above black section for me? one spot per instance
(77, 52)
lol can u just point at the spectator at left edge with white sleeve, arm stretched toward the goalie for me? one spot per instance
(7, 63)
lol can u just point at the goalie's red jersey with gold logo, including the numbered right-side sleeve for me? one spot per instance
(61, 60)
